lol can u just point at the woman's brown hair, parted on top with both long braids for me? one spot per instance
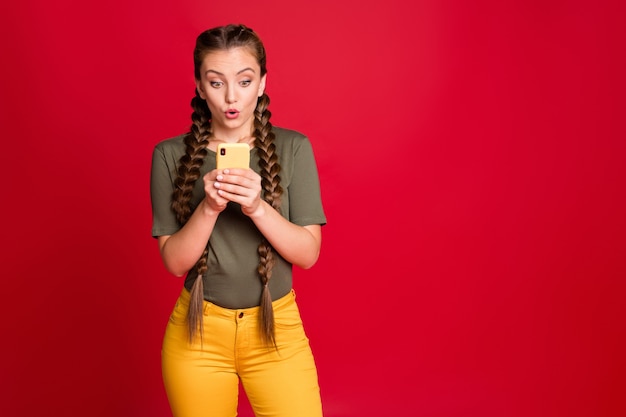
(217, 39)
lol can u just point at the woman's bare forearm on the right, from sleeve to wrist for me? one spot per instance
(299, 245)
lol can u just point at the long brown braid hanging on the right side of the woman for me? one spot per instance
(272, 191)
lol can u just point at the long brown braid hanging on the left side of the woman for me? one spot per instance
(188, 173)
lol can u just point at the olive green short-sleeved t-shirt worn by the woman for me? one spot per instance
(232, 280)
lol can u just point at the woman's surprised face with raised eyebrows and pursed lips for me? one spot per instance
(231, 83)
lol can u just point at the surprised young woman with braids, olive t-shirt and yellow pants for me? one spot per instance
(235, 234)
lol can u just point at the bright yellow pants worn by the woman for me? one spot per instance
(202, 379)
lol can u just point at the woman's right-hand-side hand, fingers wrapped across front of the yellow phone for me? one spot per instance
(242, 186)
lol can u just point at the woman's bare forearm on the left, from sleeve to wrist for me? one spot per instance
(181, 251)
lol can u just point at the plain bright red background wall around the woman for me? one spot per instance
(472, 165)
